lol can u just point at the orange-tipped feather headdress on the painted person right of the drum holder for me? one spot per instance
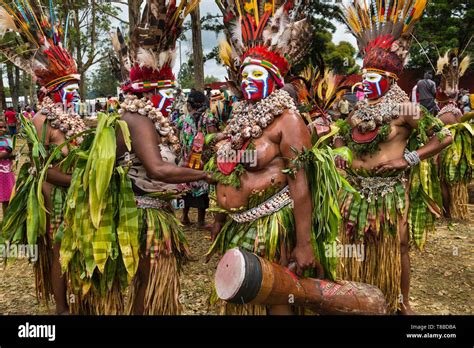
(383, 31)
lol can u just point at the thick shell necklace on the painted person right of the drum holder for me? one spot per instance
(367, 117)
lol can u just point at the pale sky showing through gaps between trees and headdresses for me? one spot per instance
(209, 40)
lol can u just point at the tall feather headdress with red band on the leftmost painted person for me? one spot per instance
(36, 46)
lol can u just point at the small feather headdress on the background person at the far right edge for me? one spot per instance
(451, 67)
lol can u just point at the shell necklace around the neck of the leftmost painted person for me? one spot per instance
(69, 123)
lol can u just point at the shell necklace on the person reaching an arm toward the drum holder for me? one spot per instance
(146, 108)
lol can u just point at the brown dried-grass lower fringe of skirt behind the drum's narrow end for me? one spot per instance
(381, 266)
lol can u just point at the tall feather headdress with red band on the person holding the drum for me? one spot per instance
(271, 33)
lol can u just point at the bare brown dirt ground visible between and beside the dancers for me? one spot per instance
(442, 275)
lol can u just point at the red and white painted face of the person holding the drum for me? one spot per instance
(257, 83)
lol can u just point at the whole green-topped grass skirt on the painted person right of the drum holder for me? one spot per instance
(373, 221)
